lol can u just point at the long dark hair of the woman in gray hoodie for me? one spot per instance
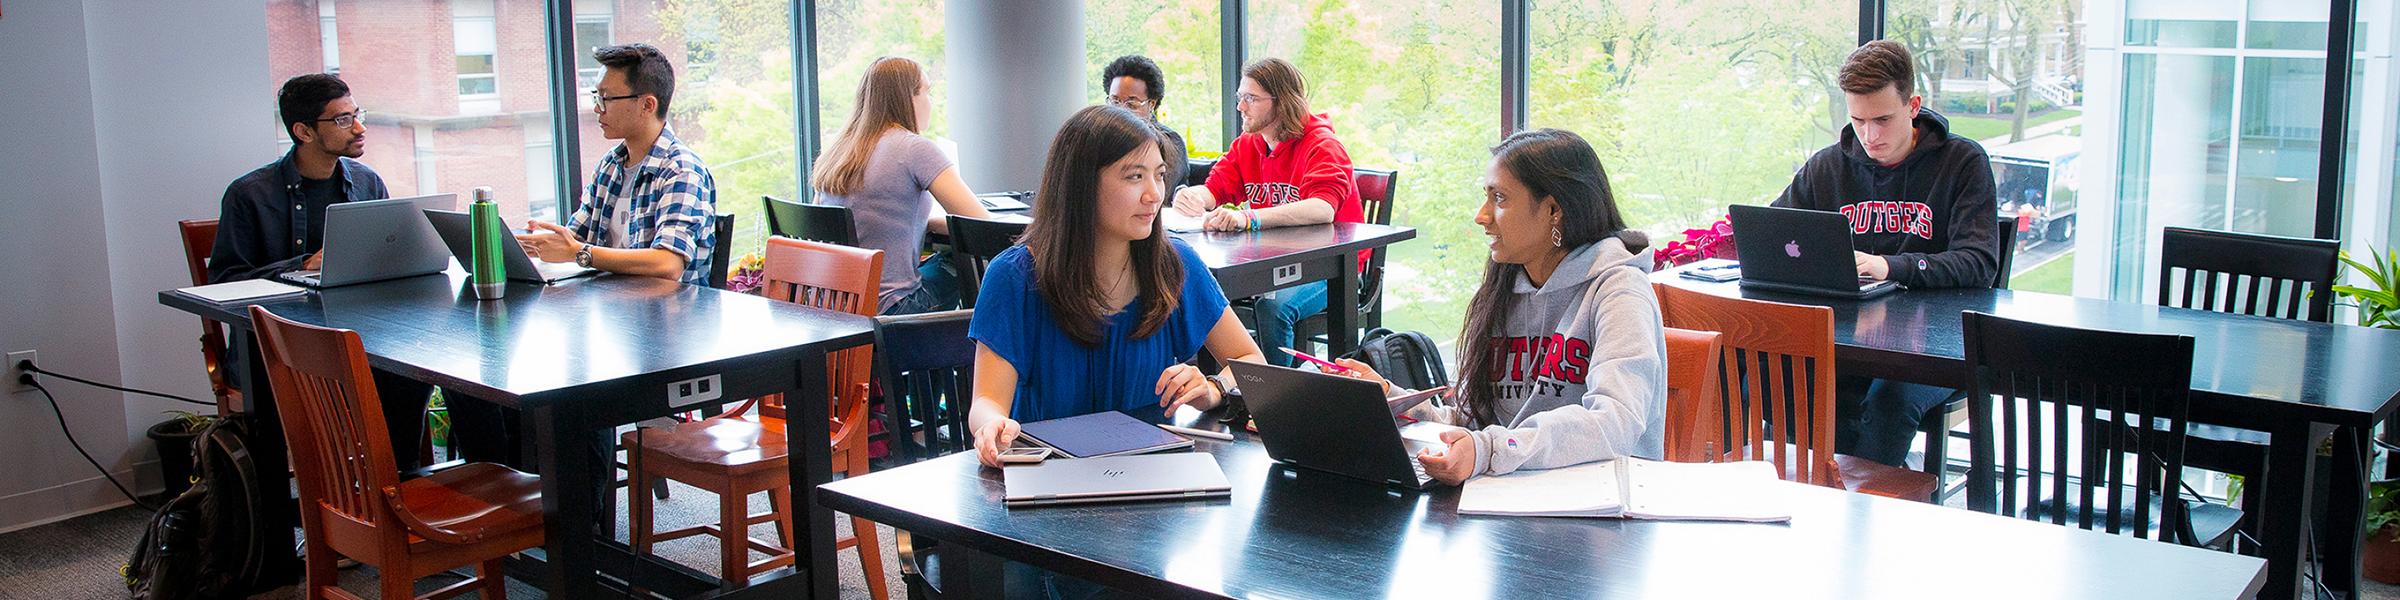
(1554, 167)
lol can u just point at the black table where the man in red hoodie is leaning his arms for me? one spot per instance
(1254, 263)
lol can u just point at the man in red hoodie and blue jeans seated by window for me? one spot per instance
(1285, 169)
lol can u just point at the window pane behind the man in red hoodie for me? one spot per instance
(1417, 90)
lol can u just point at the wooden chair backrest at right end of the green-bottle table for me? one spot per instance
(829, 277)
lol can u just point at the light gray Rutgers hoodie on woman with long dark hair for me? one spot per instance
(1580, 368)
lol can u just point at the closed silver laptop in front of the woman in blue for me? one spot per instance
(1117, 479)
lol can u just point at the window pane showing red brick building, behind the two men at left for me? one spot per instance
(428, 138)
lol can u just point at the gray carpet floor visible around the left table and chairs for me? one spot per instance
(80, 558)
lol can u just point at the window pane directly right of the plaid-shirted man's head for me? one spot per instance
(733, 92)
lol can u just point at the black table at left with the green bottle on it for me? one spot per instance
(582, 359)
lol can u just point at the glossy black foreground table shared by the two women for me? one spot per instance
(1300, 534)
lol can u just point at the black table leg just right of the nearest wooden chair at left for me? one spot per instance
(570, 508)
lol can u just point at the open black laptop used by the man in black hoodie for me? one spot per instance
(1796, 251)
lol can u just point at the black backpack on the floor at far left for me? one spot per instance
(203, 541)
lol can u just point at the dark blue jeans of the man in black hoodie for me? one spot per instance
(1878, 419)
